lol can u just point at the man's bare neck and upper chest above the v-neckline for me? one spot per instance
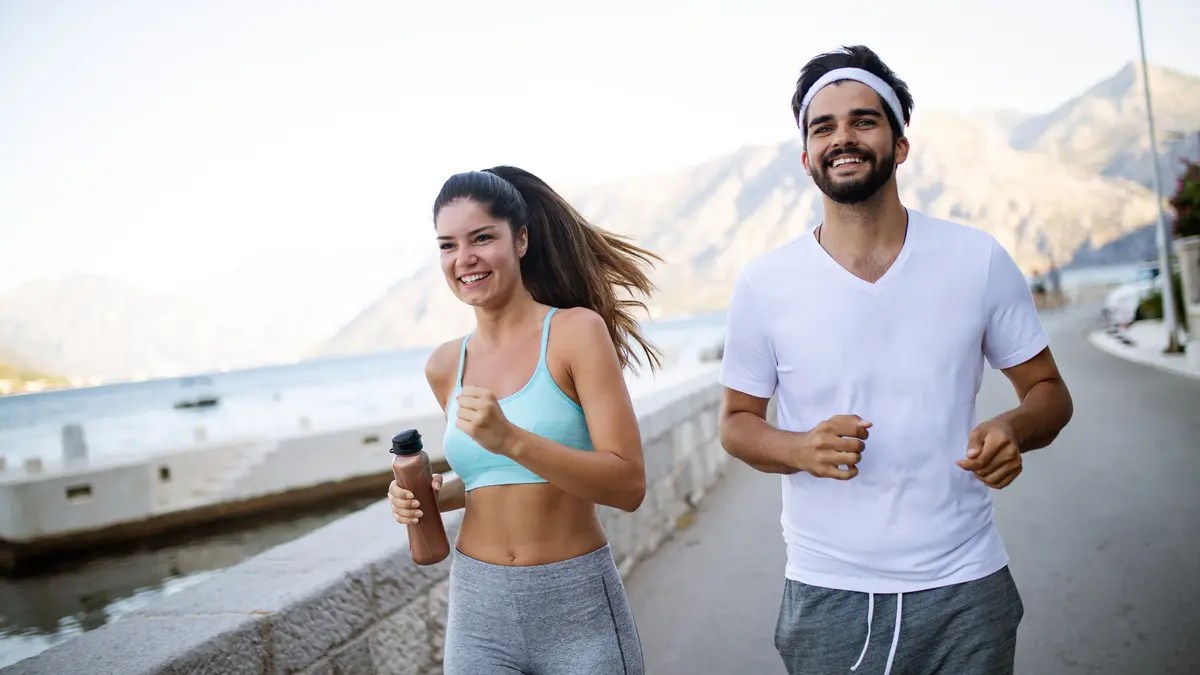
(866, 238)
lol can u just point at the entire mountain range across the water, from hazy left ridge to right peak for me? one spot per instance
(1070, 186)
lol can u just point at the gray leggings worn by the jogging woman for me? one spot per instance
(568, 618)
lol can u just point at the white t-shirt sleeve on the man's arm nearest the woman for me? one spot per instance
(748, 363)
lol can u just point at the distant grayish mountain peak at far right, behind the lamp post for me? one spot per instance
(1105, 129)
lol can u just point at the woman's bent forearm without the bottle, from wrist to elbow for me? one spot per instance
(604, 479)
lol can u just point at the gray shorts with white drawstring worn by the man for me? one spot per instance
(961, 630)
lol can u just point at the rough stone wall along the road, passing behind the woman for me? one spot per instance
(347, 599)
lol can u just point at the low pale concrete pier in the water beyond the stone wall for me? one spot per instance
(97, 501)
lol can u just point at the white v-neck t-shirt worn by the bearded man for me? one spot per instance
(905, 354)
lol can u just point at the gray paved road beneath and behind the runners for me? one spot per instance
(1103, 529)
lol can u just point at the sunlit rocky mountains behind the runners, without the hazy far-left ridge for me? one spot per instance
(1069, 186)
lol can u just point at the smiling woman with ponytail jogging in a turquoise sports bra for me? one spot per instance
(541, 429)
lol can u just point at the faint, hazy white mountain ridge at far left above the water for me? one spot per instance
(93, 327)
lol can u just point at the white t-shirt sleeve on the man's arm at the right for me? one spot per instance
(1015, 333)
